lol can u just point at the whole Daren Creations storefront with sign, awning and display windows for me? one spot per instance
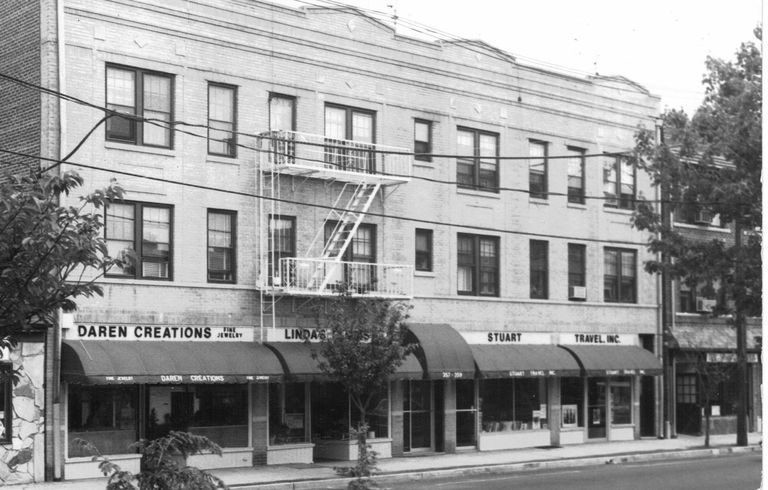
(126, 382)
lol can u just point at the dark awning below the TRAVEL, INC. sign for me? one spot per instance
(615, 360)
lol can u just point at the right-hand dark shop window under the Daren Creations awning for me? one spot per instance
(218, 412)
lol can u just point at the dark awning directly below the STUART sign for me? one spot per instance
(511, 361)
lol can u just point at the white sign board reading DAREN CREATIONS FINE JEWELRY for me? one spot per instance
(201, 333)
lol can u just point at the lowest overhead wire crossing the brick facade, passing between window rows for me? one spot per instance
(326, 207)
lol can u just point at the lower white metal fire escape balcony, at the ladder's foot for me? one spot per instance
(324, 277)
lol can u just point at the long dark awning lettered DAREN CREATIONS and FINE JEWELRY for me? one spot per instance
(128, 362)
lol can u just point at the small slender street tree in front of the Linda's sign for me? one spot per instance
(363, 348)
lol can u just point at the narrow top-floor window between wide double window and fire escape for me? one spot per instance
(222, 110)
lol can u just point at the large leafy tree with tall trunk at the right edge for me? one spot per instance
(712, 163)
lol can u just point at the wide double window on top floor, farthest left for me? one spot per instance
(143, 94)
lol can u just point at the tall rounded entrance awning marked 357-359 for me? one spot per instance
(443, 351)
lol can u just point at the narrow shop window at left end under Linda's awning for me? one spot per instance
(287, 413)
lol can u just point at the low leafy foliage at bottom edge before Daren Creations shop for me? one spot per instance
(163, 464)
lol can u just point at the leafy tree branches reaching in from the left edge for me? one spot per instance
(46, 250)
